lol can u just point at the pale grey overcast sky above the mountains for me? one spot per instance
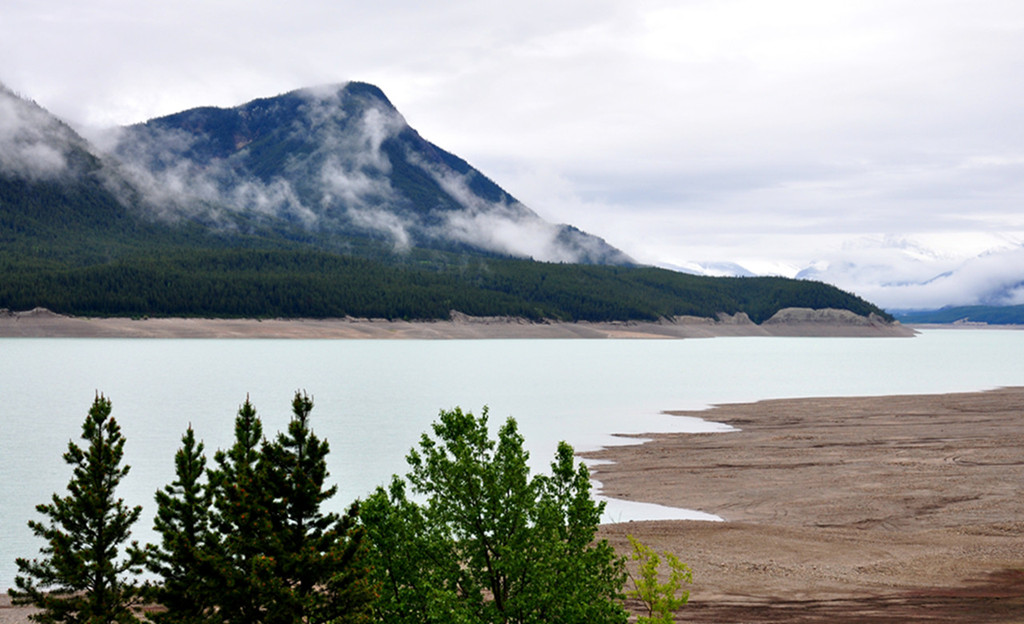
(880, 143)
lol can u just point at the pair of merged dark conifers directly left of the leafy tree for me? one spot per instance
(278, 558)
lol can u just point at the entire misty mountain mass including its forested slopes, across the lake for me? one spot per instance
(317, 203)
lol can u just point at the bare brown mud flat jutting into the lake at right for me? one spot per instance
(860, 510)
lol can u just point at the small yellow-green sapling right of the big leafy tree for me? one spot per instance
(660, 600)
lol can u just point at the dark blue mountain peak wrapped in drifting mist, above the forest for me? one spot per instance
(335, 161)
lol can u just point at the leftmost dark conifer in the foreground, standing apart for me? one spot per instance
(82, 577)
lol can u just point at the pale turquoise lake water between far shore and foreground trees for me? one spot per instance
(374, 399)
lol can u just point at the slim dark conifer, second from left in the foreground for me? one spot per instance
(182, 560)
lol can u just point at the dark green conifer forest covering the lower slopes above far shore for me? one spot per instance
(94, 259)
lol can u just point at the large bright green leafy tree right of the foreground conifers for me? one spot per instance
(491, 544)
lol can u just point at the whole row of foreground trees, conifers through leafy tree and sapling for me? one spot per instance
(470, 536)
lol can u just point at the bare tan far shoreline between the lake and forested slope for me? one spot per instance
(41, 323)
